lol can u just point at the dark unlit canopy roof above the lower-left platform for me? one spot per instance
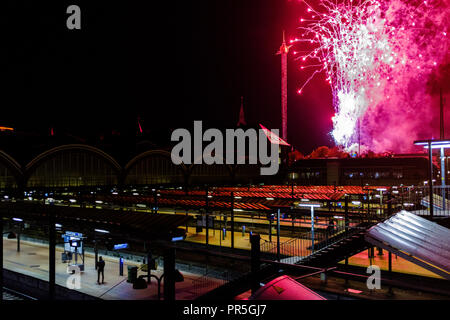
(136, 224)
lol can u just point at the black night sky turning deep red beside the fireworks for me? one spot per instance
(167, 62)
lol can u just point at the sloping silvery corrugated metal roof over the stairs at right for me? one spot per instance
(415, 239)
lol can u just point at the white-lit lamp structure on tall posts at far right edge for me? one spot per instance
(430, 145)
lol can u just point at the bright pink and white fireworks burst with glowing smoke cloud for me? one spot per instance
(378, 57)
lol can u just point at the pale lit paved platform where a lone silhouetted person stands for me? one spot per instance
(32, 260)
